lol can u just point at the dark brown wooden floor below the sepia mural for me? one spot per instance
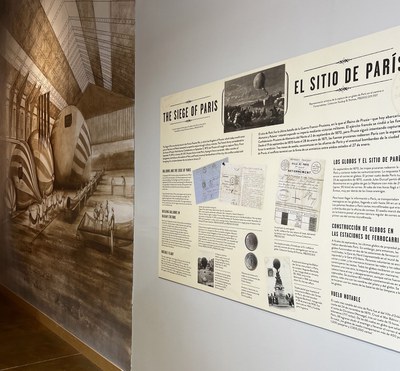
(25, 344)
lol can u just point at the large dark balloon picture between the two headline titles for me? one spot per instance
(255, 100)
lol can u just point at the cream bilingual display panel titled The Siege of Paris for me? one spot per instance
(280, 188)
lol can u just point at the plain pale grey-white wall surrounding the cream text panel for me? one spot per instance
(182, 44)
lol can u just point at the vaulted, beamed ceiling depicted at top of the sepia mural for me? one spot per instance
(75, 49)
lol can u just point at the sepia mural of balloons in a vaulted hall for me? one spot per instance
(67, 142)
